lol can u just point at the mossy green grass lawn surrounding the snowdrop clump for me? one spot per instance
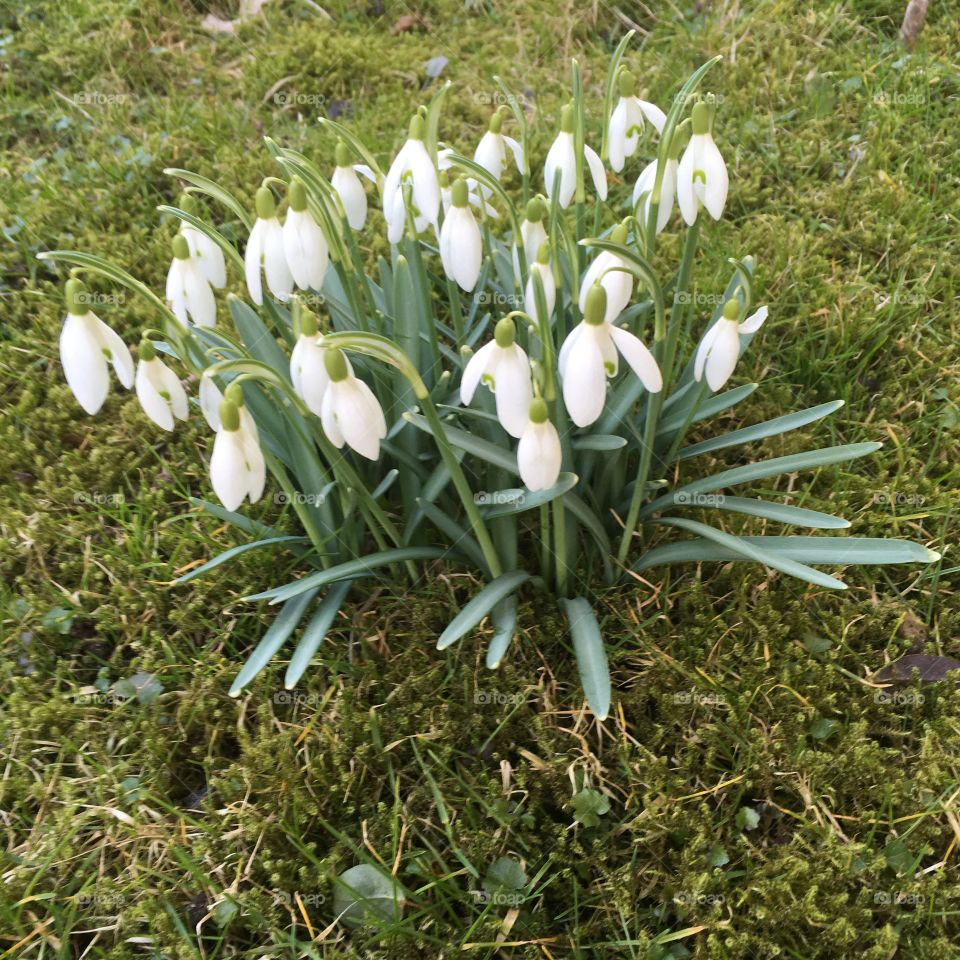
(752, 794)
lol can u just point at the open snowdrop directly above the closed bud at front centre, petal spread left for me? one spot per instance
(503, 366)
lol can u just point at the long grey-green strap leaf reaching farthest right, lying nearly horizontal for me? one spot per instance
(837, 551)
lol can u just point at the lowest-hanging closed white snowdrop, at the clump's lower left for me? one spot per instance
(237, 467)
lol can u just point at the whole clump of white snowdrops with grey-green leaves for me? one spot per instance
(509, 392)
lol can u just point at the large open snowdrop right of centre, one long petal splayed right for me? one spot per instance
(589, 355)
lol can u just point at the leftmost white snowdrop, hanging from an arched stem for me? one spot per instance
(87, 344)
